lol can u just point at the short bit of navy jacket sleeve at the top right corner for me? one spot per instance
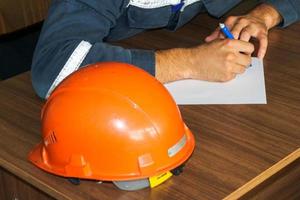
(288, 9)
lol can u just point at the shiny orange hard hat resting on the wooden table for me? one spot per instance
(112, 122)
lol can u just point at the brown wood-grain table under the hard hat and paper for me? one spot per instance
(234, 143)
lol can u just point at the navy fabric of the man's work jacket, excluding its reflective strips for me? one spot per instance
(97, 21)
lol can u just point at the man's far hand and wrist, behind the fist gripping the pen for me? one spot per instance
(255, 24)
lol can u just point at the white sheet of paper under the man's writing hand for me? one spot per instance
(248, 88)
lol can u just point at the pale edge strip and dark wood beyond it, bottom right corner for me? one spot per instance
(263, 183)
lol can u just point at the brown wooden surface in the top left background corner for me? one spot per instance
(17, 14)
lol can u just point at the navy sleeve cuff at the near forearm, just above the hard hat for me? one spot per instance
(144, 59)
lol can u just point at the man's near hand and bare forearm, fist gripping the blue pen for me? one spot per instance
(220, 60)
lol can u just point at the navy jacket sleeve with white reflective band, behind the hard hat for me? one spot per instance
(69, 25)
